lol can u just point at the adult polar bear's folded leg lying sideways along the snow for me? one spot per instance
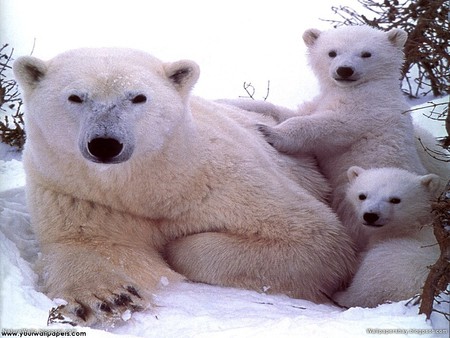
(264, 265)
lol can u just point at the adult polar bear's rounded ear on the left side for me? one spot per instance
(29, 71)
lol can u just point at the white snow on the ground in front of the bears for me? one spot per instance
(182, 310)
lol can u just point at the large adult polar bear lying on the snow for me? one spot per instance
(127, 174)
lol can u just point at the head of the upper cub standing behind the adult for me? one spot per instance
(352, 55)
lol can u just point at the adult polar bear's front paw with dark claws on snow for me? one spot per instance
(99, 308)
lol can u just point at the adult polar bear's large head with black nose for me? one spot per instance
(103, 105)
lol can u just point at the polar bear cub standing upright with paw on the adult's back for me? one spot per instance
(359, 117)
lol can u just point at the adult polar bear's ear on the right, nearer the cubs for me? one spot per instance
(183, 74)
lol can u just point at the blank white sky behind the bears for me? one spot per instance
(233, 41)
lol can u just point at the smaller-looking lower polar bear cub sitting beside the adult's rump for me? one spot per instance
(393, 206)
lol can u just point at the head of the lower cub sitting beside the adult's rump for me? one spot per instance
(389, 198)
